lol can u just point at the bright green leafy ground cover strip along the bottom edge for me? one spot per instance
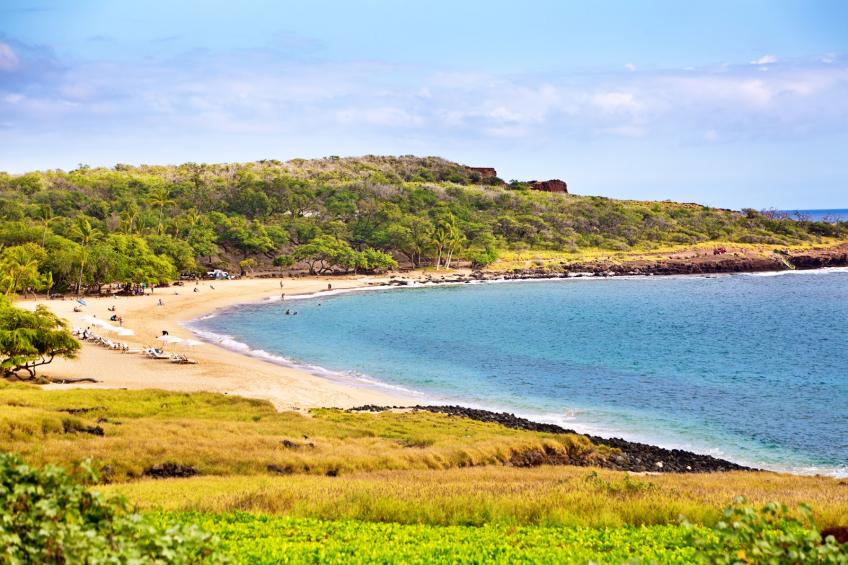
(256, 539)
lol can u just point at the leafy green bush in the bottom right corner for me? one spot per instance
(771, 534)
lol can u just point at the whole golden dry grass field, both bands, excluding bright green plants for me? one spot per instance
(413, 467)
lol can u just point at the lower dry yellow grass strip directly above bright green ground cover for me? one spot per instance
(570, 496)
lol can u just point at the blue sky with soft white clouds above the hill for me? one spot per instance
(739, 103)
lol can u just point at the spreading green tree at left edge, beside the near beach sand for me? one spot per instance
(31, 339)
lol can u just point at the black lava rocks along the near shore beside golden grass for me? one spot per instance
(632, 456)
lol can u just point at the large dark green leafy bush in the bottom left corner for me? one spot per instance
(46, 516)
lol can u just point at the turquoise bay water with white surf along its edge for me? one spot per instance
(753, 368)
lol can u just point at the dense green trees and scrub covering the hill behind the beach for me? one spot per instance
(89, 227)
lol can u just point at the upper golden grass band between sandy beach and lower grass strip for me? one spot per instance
(127, 432)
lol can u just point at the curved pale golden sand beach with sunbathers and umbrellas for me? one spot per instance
(218, 369)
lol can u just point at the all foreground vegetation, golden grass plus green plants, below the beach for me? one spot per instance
(264, 486)
